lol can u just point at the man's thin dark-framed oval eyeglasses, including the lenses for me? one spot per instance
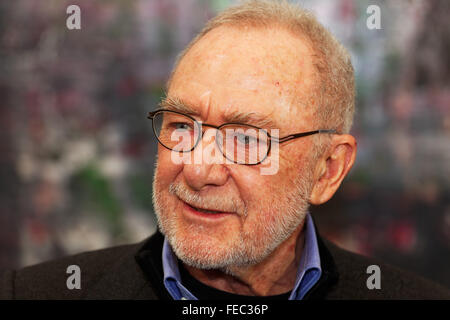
(238, 142)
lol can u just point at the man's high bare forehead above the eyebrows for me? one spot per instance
(266, 71)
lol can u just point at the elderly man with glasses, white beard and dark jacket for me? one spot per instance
(254, 128)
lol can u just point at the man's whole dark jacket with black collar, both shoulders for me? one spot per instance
(135, 272)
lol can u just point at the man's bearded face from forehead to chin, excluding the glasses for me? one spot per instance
(268, 72)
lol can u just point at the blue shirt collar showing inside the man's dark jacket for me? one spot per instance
(308, 273)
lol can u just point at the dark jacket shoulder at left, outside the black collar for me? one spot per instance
(105, 274)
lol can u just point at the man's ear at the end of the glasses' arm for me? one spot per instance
(332, 168)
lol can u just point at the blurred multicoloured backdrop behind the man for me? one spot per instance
(77, 152)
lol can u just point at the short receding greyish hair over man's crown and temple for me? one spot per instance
(332, 80)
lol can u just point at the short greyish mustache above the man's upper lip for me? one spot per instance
(217, 203)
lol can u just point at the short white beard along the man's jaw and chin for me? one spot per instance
(196, 248)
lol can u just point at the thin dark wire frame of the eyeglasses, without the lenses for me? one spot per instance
(151, 115)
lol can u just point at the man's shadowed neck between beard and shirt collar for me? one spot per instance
(274, 275)
